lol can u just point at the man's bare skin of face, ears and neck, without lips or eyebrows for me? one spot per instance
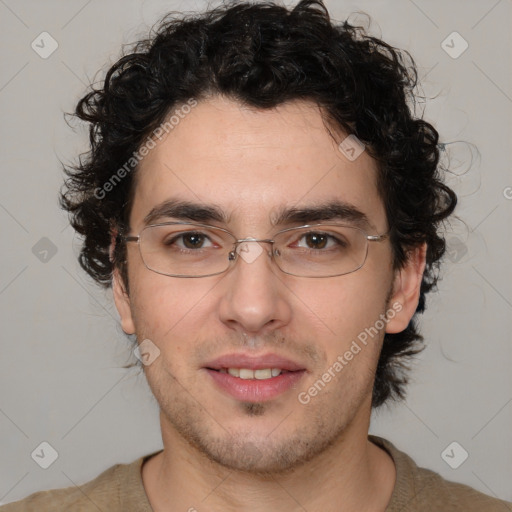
(220, 453)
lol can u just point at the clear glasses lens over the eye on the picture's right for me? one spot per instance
(321, 250)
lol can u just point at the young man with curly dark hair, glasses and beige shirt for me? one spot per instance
(266, 209)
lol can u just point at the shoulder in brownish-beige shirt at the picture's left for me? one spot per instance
(111, 490)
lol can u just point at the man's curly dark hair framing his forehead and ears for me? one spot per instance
(263, 55)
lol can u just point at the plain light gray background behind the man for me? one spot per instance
(62, 348)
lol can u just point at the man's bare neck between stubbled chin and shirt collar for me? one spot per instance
(351, 475)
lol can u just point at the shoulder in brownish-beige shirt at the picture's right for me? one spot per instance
(419, 489)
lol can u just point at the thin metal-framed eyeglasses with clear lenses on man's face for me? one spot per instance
(179, 249)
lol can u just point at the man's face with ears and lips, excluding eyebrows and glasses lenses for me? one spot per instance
(251, 165)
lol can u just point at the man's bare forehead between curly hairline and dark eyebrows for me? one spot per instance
(254, 164)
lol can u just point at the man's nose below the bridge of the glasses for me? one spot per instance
(254, 298)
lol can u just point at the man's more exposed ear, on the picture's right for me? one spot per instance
(406, 290)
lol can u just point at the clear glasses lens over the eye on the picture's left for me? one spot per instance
(189, 250)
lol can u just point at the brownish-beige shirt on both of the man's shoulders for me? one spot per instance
(120, 489)
